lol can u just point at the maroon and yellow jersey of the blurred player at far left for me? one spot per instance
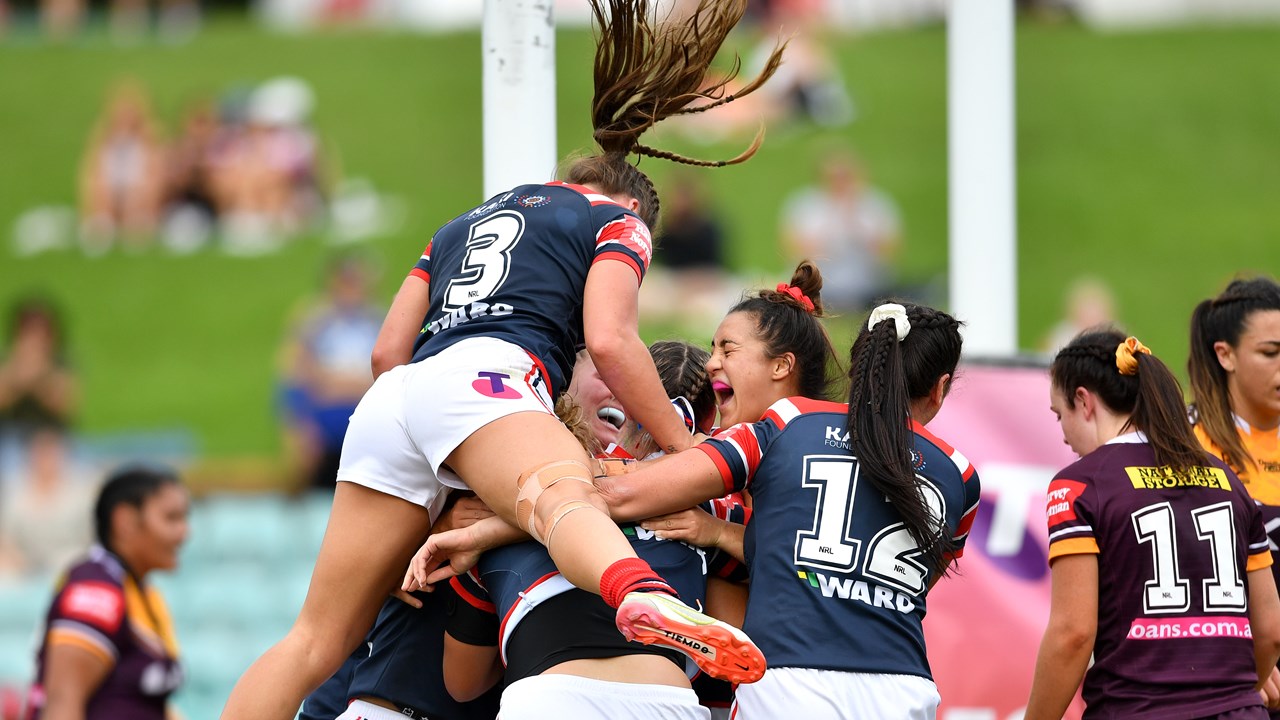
(100, 609)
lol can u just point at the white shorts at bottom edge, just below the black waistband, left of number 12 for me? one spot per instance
(570, 696)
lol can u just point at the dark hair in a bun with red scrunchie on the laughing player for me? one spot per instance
(785, 325)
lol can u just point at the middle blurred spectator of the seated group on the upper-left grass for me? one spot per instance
(190, 211)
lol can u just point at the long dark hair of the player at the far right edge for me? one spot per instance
(1223, 320)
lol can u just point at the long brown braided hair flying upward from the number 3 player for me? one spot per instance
(646, 72)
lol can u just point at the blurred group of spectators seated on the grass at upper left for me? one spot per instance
(245, 168)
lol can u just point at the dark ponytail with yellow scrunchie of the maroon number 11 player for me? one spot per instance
(1151, 397)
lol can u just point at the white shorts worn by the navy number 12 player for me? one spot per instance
(835, 695)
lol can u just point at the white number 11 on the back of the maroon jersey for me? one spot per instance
(1168, 591)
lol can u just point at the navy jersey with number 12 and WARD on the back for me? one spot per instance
(836, 584)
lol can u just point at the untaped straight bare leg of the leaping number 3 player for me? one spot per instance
(365, 549)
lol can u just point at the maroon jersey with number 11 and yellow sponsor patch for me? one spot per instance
(1174, 639)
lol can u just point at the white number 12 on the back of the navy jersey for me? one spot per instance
(892, 554)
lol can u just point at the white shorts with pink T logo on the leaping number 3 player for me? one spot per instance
(415, 416)
